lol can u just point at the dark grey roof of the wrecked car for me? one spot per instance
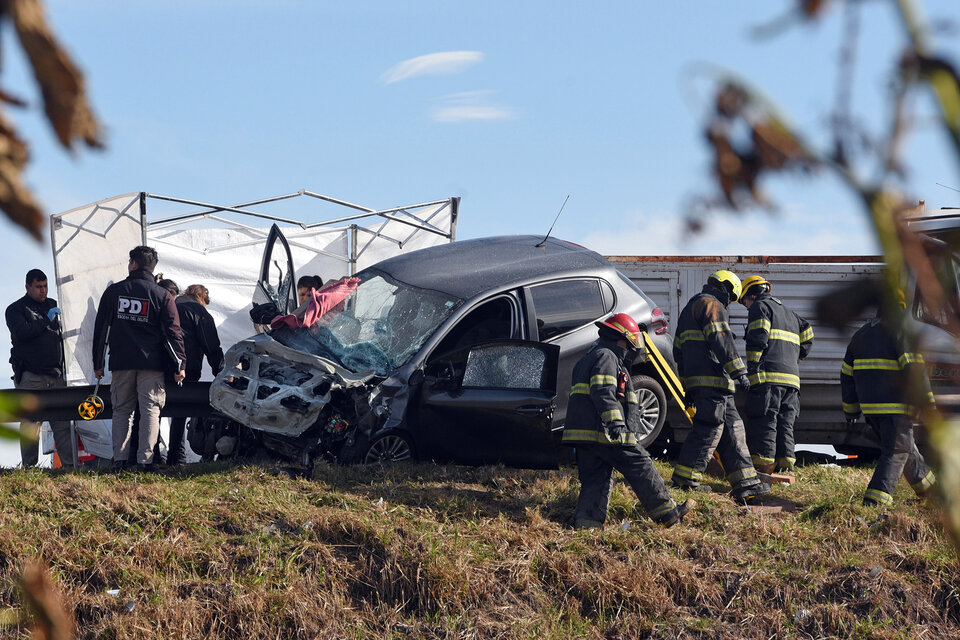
(468, 268)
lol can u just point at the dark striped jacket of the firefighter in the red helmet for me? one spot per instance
(594, 414)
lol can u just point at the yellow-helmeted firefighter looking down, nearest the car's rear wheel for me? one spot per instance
(708, 364)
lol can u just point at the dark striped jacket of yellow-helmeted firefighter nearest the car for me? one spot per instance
(703, 347)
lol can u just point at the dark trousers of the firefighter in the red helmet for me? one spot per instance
(595, 465)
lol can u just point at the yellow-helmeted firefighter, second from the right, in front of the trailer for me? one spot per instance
(777, 340)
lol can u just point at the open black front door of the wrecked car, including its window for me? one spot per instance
(492, 403)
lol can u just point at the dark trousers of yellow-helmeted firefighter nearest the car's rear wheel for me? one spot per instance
(716, 425)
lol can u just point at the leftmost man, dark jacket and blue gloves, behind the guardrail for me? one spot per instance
(36, 354)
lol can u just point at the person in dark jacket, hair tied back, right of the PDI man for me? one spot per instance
(200, 339)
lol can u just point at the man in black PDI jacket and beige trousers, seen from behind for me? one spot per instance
(138, 319)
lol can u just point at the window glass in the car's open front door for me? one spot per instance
(500, 366)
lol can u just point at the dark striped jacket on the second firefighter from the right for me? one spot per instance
(777, 340)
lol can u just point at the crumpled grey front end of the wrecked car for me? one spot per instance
(268, 386)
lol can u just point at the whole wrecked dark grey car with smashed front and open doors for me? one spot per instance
(461, 352)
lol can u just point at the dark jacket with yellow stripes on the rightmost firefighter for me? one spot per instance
(876, 371)
